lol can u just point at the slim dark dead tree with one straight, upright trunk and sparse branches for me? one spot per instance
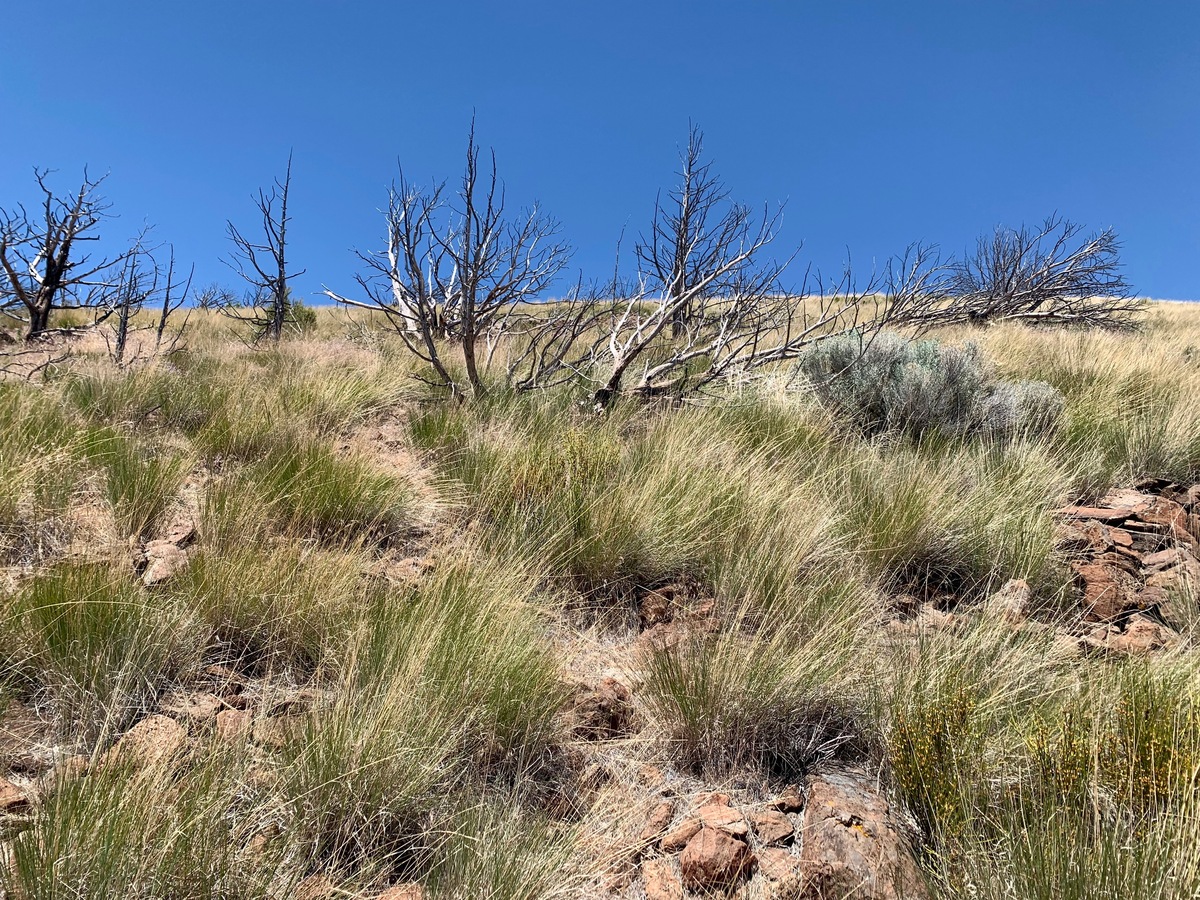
(263, 265)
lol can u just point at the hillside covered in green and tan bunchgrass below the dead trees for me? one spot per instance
(400, 609)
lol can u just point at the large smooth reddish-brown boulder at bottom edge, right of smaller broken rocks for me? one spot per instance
(853, 845)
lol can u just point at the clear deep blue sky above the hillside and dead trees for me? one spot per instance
(879, 123)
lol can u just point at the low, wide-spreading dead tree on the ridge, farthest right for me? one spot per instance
(1052, 275)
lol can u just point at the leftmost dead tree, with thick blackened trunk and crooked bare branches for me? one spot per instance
(41, 261)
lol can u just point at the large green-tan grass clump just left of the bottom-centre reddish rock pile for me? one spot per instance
(460, 694)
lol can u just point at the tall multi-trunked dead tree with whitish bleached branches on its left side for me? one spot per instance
(459, 271)
